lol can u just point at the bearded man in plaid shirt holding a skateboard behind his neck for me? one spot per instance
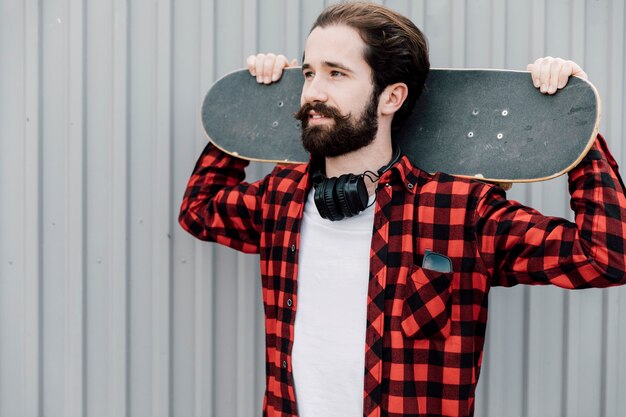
(357, 321)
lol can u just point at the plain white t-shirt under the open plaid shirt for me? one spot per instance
(331, 314)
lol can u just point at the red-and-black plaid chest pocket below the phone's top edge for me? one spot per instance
(427, 305)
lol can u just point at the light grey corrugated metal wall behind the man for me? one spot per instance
(108, 309)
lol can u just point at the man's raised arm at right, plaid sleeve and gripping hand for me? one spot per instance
(523, 246)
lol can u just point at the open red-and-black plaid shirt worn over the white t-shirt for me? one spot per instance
(425, 329)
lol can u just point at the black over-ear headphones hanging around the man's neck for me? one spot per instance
(346, 195)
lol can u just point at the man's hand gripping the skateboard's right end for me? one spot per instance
(551, 74)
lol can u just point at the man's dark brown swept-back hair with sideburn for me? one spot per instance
(396, 50)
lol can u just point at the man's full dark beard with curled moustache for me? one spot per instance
(346, 135)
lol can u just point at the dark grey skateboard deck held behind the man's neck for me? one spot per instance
(493, 125)
